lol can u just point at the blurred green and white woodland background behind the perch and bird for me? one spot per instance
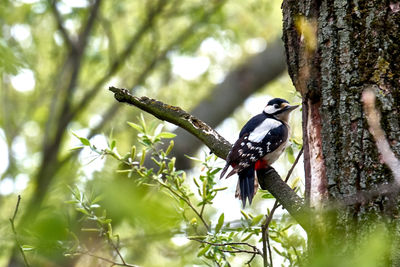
(57, 59)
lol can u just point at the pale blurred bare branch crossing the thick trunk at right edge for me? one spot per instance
(373, 118)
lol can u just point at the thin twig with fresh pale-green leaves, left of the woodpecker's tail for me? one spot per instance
(166, 176)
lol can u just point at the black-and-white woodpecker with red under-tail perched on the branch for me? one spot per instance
(261, 141)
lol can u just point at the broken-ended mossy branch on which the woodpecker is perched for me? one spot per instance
(269, 180)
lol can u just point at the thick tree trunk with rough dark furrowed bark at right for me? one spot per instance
(335, 50)
